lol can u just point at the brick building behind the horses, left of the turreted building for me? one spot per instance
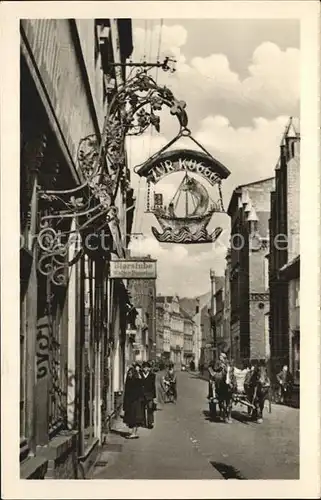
(249, 210)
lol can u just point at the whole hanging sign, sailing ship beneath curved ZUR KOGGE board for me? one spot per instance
(189, 212)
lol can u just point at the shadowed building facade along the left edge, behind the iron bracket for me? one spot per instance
(72, 318)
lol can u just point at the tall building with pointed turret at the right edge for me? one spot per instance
(284, 258)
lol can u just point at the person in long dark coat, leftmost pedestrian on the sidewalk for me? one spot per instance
(133, 401)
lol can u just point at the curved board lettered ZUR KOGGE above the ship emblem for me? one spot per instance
(185, 160)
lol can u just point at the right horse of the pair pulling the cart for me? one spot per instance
(257, 389)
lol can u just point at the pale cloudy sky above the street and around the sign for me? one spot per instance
(240, 81)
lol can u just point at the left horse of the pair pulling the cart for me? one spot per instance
(224, 388)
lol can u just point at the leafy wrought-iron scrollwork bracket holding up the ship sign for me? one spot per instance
(102, 162)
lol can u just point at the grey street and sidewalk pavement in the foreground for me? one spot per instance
(186, 444)
